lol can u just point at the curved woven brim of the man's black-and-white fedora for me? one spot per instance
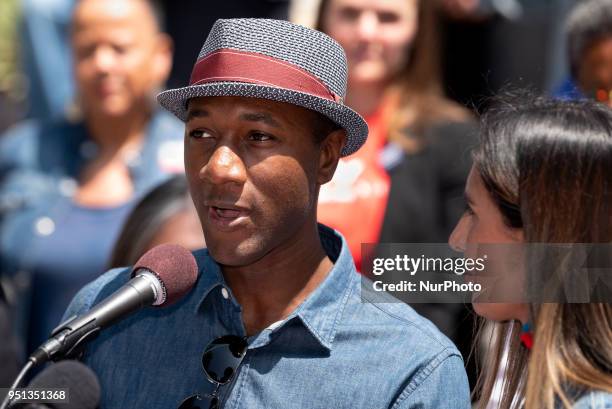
(175, 101)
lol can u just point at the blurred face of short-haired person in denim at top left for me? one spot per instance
(120, 57)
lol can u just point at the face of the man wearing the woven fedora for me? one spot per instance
(254, 171)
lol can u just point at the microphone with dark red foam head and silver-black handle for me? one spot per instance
(160, 277)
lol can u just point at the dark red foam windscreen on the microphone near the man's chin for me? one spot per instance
(175, 267)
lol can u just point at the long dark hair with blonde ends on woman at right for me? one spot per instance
(547, 165)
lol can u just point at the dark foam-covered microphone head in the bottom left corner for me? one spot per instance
(80, 382)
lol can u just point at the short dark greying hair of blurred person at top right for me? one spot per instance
(589, 22)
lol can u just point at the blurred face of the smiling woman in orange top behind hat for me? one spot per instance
(375, 34)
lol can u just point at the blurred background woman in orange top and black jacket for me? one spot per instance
(405, 185)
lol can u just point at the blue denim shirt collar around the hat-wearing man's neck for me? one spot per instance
(319, 313)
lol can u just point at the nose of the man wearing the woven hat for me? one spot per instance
(224, 166)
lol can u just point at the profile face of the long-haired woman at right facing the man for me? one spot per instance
(482, 228)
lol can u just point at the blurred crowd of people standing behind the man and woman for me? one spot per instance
(91, 169)
